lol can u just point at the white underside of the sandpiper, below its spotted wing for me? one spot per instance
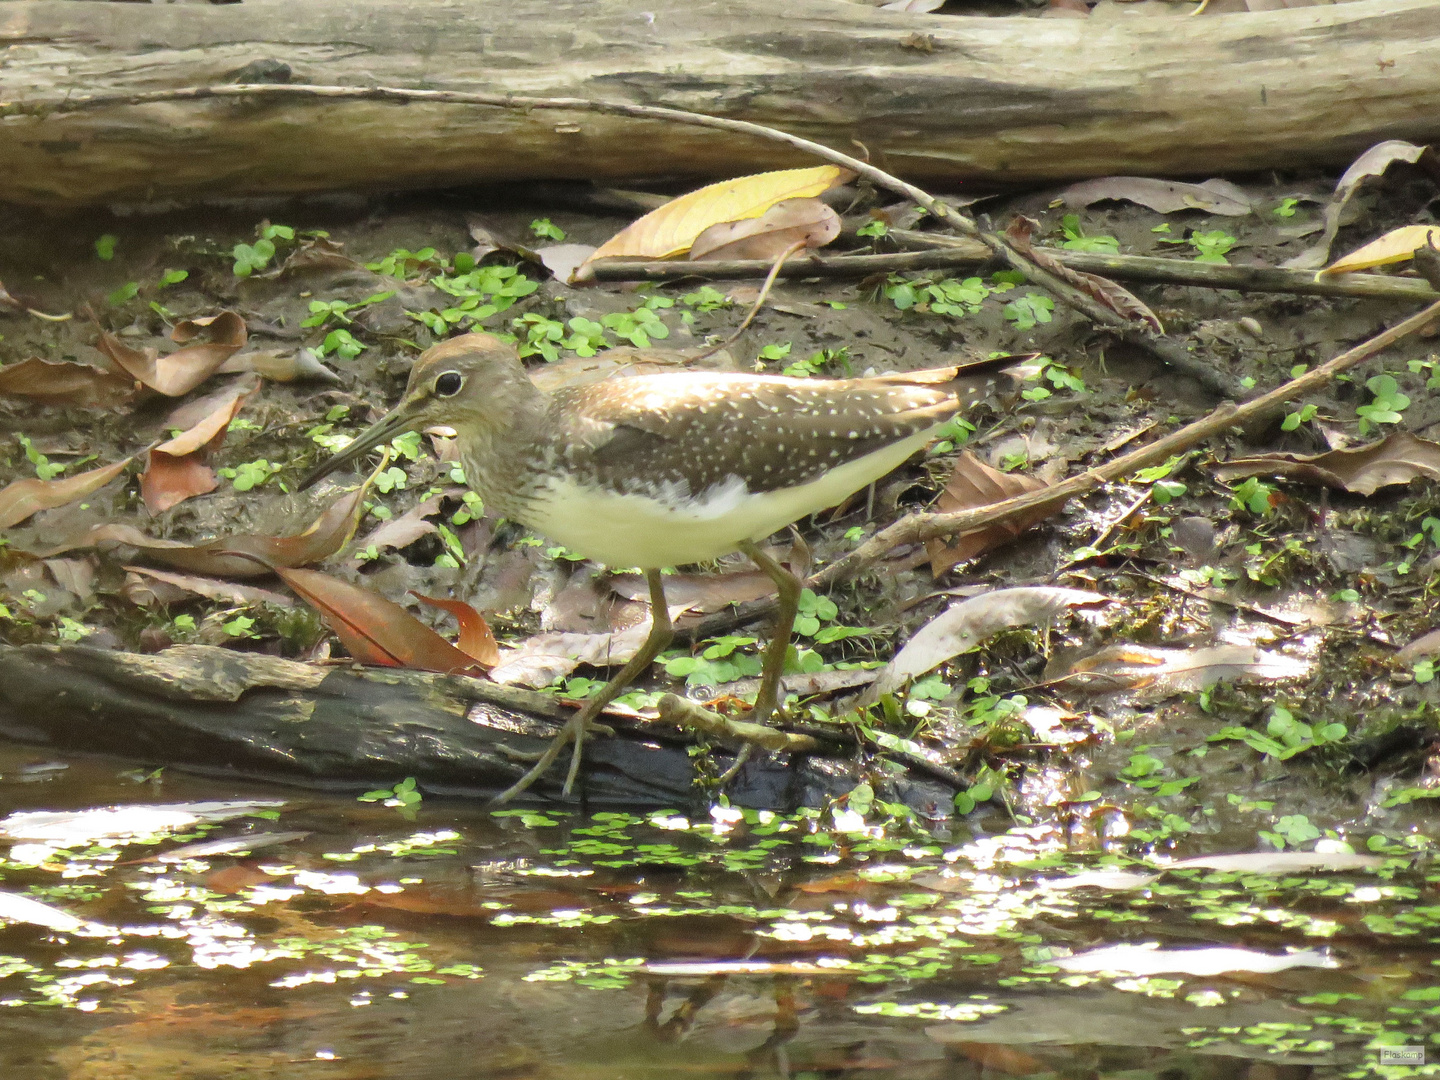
(624, 531)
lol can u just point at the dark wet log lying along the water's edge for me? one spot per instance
(221, 712)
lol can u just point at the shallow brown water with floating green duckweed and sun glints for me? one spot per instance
(437, 941)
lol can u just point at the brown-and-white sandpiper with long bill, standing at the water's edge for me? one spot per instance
(663, 470)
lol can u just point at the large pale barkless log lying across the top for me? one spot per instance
(934, 99)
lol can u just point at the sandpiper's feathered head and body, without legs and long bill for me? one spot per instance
(692, 444)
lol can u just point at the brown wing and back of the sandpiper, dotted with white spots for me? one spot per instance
(692, 433)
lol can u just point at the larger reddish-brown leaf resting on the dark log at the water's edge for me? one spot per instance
(372, 629)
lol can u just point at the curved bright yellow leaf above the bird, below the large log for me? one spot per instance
(673, 228)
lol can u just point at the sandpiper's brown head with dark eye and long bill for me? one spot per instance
(469, 384)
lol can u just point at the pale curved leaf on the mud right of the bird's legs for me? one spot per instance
(967, 624)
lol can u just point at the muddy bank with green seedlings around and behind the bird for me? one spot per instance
(1331, 581)
